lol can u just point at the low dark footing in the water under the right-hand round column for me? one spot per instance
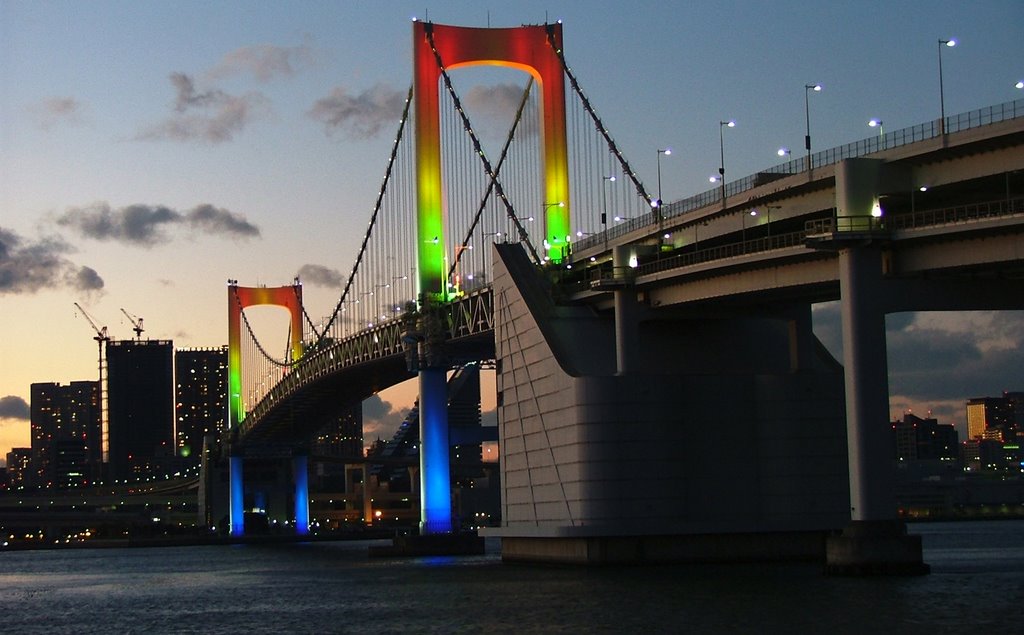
(875, 548)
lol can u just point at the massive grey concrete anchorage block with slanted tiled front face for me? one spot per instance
(713, 447)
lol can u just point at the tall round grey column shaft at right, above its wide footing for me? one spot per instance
(867, 385)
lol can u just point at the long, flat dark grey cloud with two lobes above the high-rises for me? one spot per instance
(146, 226)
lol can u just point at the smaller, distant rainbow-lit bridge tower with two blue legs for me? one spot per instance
(240, 299)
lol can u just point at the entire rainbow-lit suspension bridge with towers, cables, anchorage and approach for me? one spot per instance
(547, 255)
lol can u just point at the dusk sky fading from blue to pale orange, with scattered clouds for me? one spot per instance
(152, 151)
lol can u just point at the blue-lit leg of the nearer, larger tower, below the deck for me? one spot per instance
(436, 478)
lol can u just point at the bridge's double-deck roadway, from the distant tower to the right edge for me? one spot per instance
(766, 247)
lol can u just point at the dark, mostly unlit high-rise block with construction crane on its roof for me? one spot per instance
(141, 407)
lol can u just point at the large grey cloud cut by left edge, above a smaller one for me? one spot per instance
(30, 267)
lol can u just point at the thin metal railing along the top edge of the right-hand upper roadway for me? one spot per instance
(895, 139)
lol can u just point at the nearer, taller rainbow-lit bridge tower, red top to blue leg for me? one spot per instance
(530, 49)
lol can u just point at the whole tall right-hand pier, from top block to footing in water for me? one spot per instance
(876, 541)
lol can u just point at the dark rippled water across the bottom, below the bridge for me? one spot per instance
(976, 585)
